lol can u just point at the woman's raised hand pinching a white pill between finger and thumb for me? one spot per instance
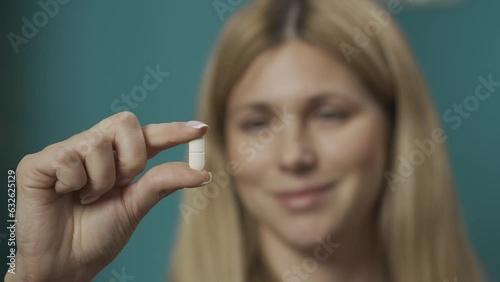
(76, 205)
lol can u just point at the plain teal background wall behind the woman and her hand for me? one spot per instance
(65, 79)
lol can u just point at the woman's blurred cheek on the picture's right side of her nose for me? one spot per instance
(356, 157)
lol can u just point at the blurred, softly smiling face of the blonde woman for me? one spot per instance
(310, 143)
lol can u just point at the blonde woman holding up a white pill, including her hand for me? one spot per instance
(309, 119)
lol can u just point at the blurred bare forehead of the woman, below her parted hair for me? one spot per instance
(295, 71)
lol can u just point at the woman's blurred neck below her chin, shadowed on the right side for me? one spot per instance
(351, 257)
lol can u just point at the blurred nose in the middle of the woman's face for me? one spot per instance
(295, 153)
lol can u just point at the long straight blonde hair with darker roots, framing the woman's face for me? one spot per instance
(419, 223)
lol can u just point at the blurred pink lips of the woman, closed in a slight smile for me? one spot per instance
(303, 199)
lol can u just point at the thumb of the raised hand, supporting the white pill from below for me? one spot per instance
(159, 182)
